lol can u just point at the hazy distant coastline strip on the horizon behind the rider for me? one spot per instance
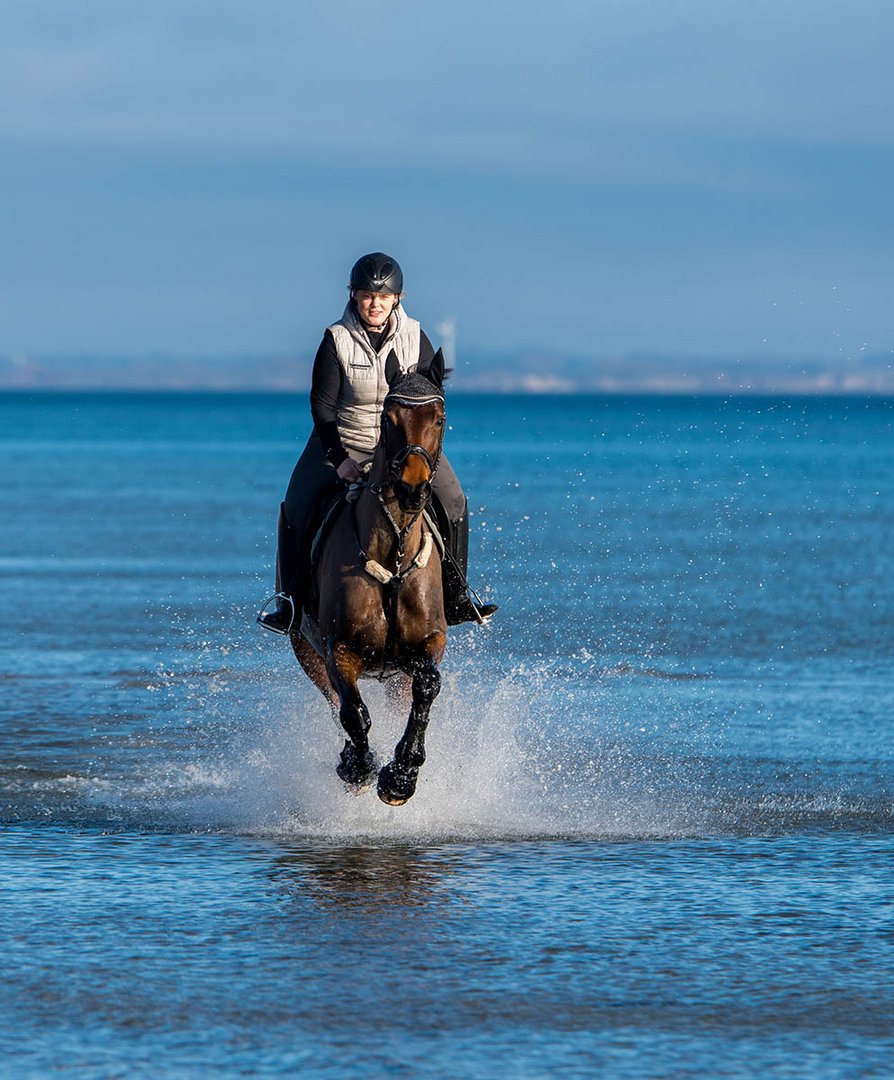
(525, 373)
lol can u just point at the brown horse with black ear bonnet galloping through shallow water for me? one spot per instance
(378, 583)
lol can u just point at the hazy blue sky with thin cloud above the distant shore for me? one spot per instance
(696, 179)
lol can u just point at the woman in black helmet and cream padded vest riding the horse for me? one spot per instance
(348, 391)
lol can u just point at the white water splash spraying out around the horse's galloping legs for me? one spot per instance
(575, 747)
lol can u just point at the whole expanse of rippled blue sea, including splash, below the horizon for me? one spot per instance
(654, 834)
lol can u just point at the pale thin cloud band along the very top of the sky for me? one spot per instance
(280, 77)
